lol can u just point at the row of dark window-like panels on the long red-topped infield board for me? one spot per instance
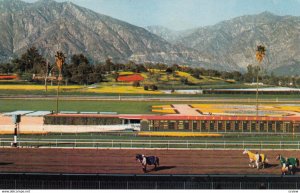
(226, 126)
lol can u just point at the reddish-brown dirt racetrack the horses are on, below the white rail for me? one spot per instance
(122, 161)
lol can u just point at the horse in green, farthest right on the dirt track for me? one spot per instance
(289, 165)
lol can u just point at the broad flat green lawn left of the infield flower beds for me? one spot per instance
(121, 107)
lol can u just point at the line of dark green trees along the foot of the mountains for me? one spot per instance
(80, 71)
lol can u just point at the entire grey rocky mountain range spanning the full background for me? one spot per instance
(229, 45)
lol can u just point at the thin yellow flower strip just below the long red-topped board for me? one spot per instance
(177, 134)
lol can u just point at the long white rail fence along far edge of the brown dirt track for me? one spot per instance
(154, 144)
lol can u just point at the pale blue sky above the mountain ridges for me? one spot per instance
(184, 14)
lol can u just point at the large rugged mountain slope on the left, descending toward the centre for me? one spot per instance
(52, 26)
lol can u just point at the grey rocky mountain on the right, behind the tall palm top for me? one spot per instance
(234, 41)
